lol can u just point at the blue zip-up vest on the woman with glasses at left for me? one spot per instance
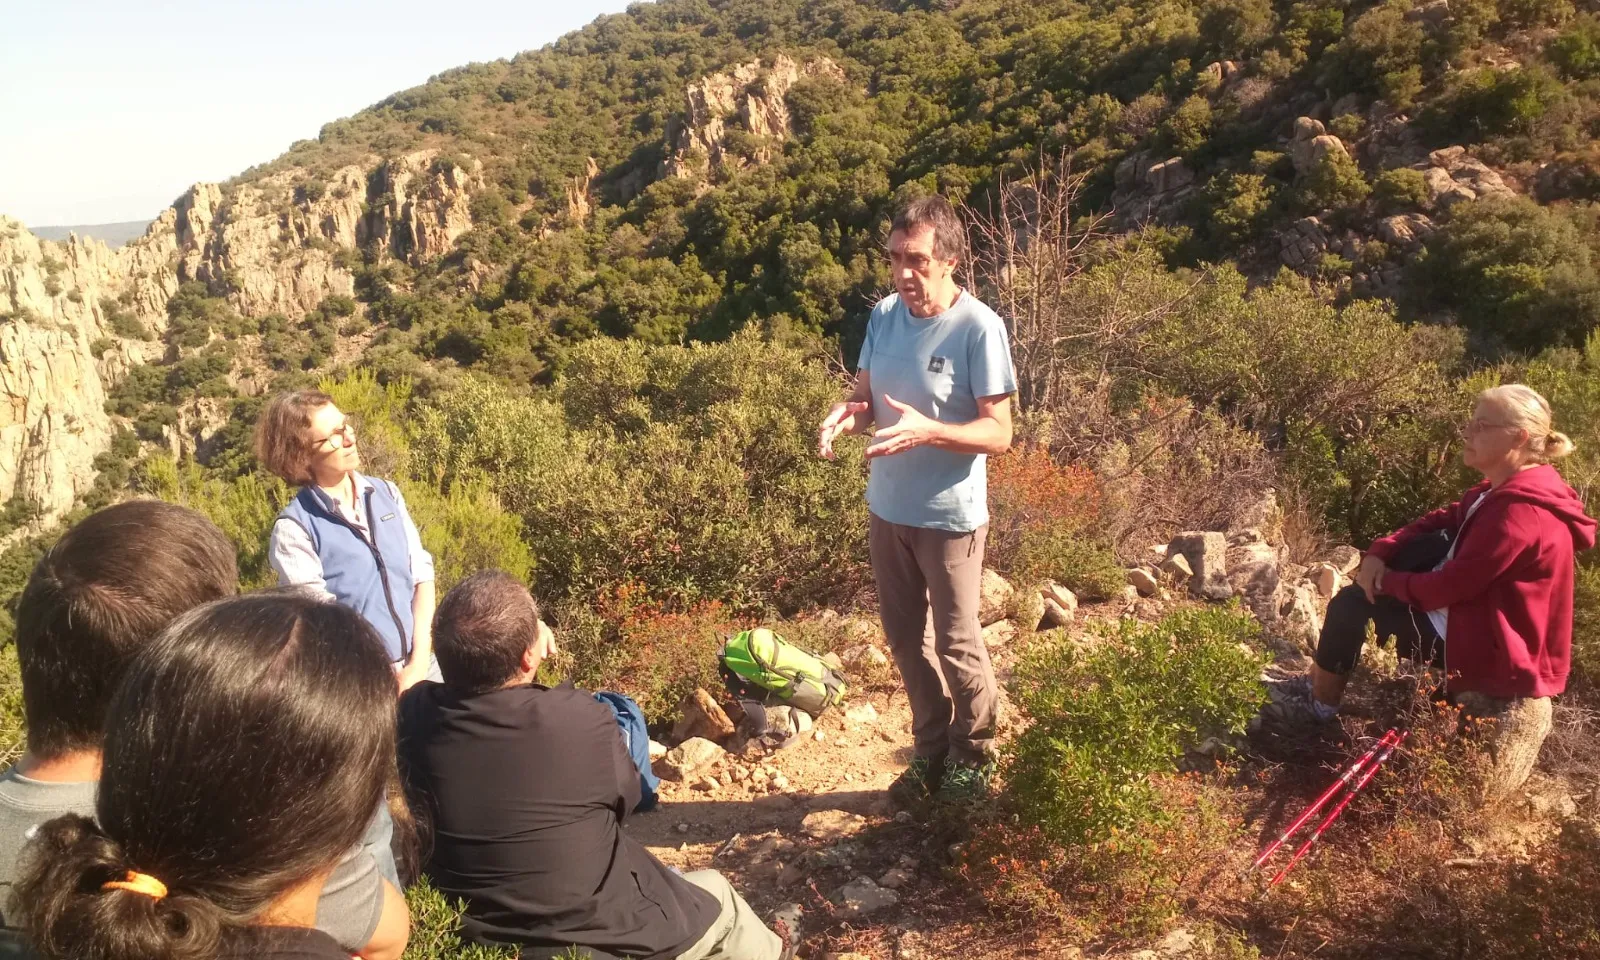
(372, 577)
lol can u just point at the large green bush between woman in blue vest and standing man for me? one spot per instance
(689, 471)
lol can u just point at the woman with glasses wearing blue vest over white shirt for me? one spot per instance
(346, 535)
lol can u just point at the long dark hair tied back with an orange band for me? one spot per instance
(246, 753)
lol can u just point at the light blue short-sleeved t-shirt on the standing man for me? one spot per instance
(942, 366)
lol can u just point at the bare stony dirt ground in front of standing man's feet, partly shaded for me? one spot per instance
(830, 823)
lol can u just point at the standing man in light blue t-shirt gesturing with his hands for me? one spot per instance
(937, 380)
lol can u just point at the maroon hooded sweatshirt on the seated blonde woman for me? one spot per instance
(1510, 588)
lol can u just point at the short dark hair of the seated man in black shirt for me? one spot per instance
(481, 631)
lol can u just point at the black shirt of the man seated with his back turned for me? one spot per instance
(526, 790)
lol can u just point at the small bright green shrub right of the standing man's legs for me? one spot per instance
(1110, 711)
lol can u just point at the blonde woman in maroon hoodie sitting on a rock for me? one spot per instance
(1482, 588)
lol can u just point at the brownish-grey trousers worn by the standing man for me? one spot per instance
(943, 660)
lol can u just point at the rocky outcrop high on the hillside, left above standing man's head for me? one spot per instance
(748, 94)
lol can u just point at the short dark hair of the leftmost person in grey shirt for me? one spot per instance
(105, 591)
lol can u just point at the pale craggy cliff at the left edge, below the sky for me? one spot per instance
(71, 313)
